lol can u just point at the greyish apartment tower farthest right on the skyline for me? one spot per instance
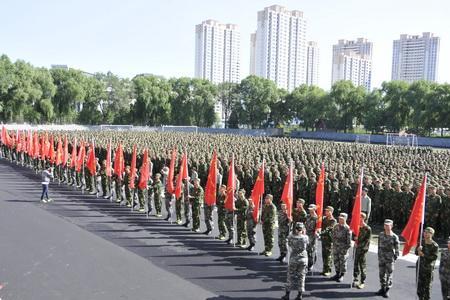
(415, 57)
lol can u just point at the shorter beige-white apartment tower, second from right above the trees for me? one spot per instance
(352, 60)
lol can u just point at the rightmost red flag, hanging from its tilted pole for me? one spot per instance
(412, 229)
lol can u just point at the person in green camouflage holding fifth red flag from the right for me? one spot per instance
(268, 220)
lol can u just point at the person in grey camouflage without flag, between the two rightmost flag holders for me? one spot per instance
(388, 252)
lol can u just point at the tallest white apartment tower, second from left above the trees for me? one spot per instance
(278, 49)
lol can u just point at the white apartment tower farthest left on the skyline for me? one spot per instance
(217, 49)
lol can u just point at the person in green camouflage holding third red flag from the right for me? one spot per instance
(328, 223)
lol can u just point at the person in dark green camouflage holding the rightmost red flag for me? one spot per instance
(428, 254)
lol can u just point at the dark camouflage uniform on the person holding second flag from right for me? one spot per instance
(362, 247)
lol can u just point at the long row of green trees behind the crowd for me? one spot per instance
(39, 95)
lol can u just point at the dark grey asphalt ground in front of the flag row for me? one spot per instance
(81, 247)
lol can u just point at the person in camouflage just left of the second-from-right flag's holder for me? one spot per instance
(341, 243)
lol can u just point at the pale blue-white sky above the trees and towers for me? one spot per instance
(158, 37)
